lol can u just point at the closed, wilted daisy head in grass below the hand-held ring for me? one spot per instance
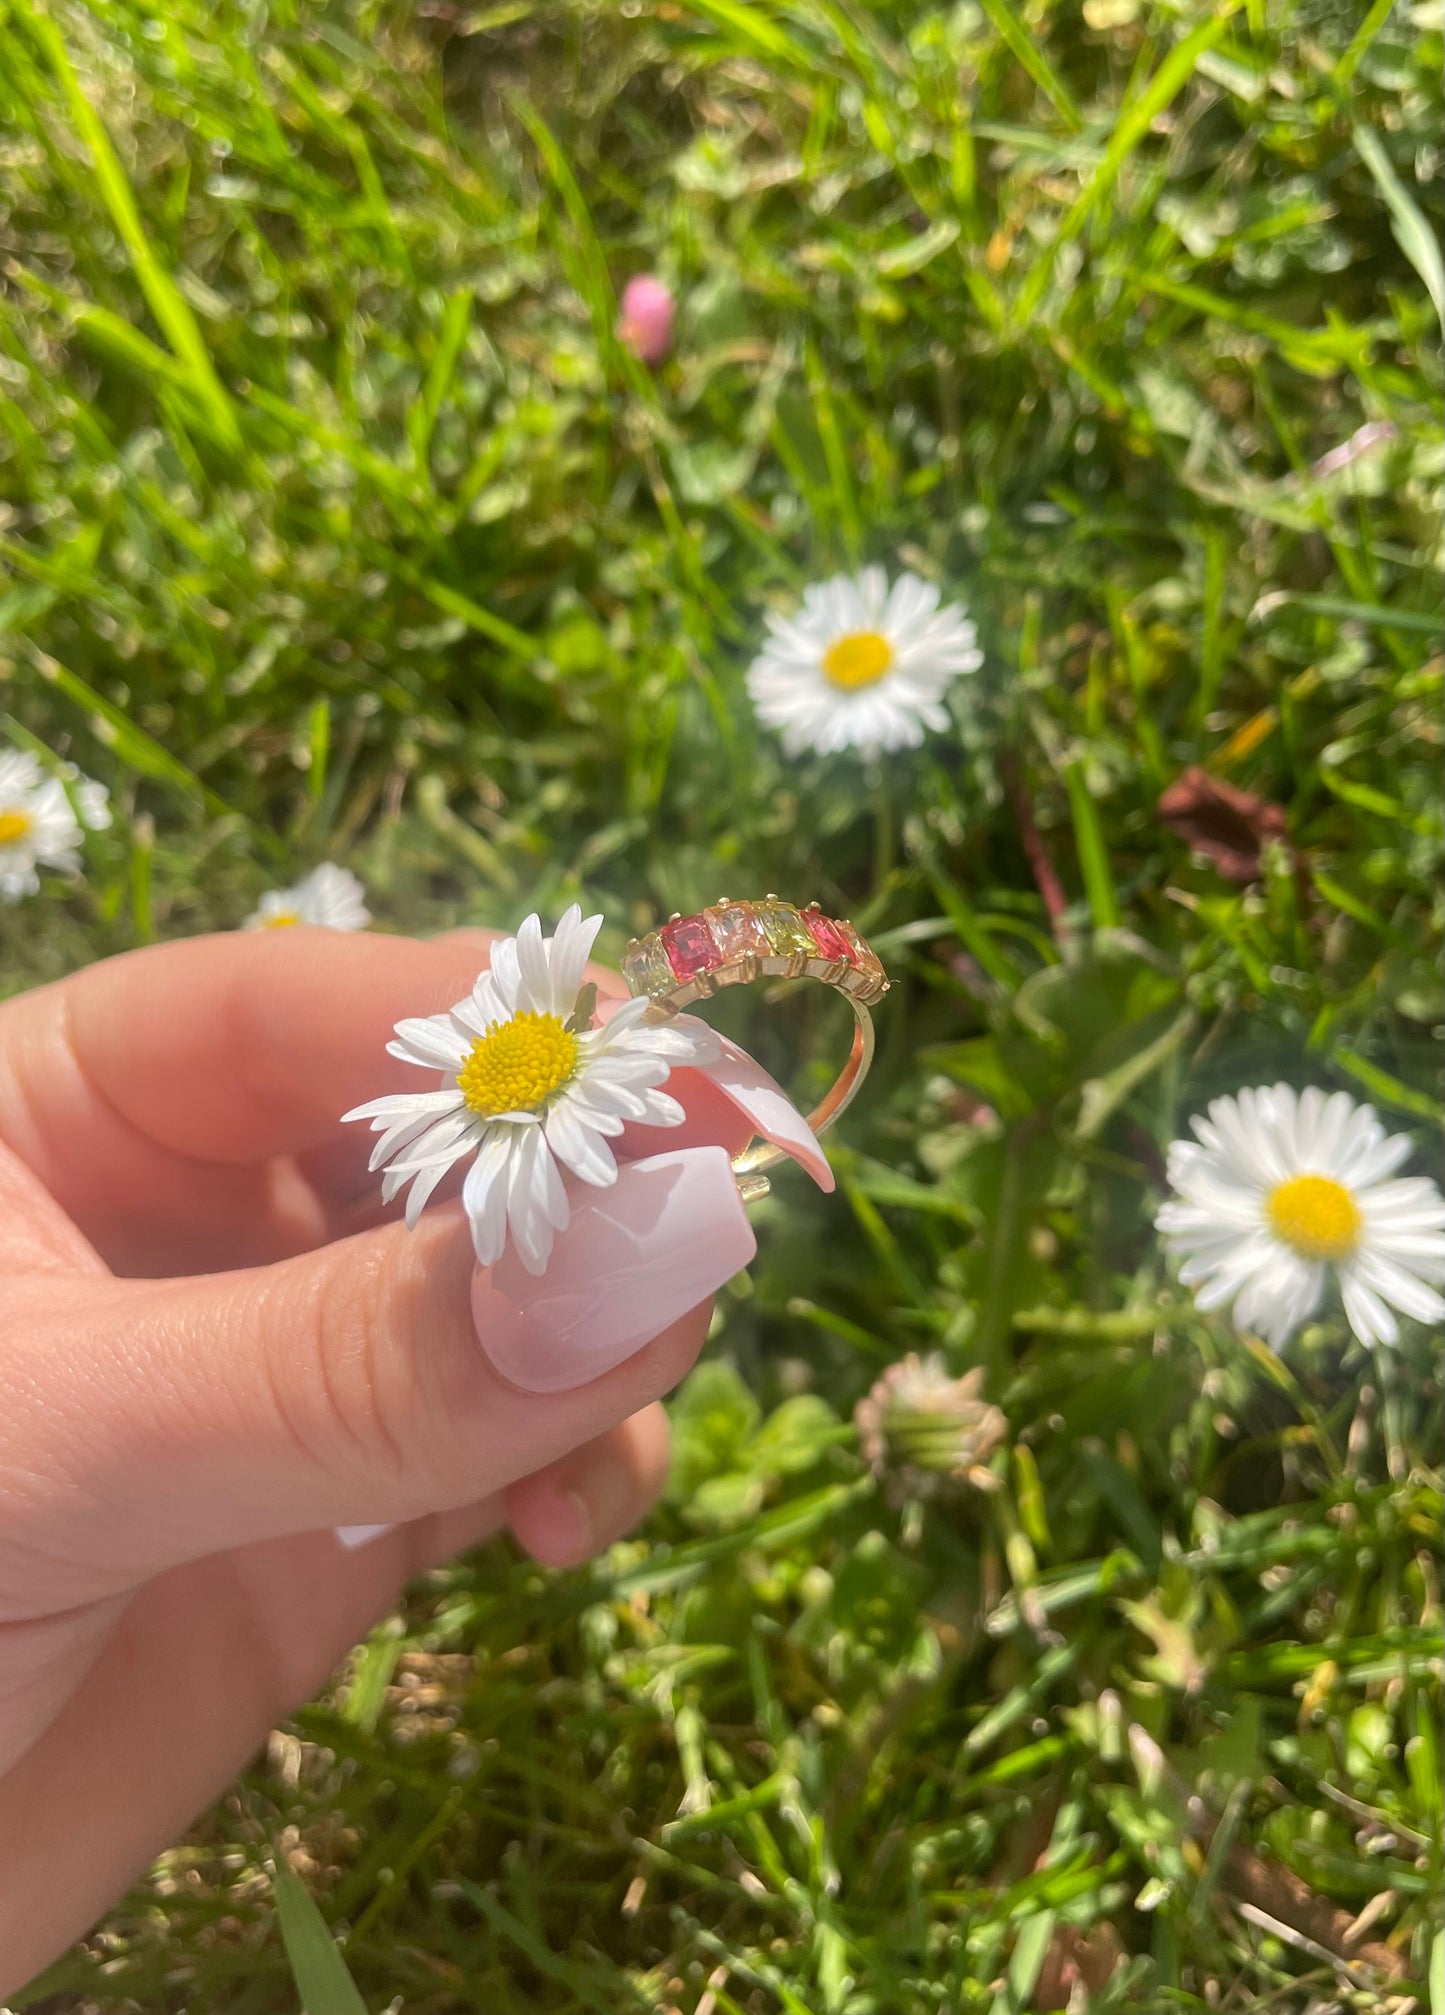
(922, 1432)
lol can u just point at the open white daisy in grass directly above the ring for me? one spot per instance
(862, 666)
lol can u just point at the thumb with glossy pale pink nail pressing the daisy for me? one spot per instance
(370, 1381)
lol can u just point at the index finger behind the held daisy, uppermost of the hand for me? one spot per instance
(180, 1065)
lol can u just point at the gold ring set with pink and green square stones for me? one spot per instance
(735, 944)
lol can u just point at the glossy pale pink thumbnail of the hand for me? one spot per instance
(636, 1258)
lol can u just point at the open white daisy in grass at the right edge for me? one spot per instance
(1279, 1192)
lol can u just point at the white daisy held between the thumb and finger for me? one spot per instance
(529, 1089)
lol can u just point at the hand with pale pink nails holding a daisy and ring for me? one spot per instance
(215, 1353)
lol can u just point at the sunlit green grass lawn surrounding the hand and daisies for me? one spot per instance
(338, 523)
